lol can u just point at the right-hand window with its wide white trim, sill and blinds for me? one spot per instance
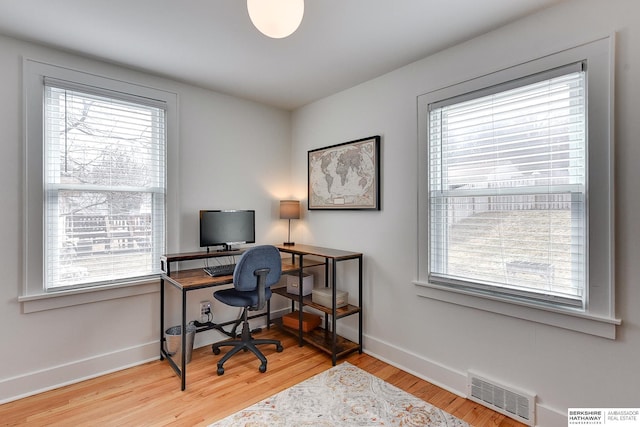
(517, 189)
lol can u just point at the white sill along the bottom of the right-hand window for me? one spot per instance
(572, 320)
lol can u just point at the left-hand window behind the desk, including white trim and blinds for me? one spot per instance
(96, 179)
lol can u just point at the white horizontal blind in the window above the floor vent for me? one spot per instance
(507, 189)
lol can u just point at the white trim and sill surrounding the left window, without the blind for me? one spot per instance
(32, 294)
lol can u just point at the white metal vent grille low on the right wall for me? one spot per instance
(515, 404)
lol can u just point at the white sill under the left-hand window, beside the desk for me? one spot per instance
(67, 298)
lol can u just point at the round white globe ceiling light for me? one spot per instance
(276, 18)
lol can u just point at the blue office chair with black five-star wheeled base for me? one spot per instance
(256, 270)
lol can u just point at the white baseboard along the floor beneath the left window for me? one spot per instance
(35, 382)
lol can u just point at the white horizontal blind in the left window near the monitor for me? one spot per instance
(104, 170)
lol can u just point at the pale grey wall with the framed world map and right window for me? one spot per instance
(441, 341)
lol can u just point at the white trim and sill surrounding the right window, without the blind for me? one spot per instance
(599, 316)
